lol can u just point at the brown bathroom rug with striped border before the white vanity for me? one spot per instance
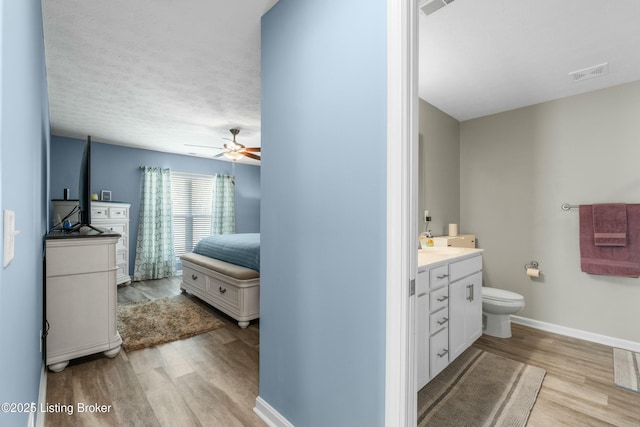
(480, 389)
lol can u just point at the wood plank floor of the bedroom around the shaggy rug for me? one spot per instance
(208, 380)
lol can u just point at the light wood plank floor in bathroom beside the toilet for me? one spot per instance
(578, 389)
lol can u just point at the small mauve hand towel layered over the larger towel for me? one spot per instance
(610, 224)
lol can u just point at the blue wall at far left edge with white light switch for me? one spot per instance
(24, 141)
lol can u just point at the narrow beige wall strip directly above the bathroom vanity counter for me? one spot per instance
(439, 170)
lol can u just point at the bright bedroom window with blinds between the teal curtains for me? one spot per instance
(192, 203)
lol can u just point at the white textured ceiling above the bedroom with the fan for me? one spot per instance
(155, 74)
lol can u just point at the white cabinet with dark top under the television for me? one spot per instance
(80, 296)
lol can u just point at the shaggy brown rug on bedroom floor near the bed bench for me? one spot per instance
(150, 323)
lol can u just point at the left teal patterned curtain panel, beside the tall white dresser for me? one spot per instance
(155, 257)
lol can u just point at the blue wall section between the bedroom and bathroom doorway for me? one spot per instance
(322, 344)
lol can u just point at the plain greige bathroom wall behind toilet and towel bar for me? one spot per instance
(518, 167)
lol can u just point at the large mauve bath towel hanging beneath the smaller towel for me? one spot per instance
(621, 261)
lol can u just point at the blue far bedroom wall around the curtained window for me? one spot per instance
(117, 168)
